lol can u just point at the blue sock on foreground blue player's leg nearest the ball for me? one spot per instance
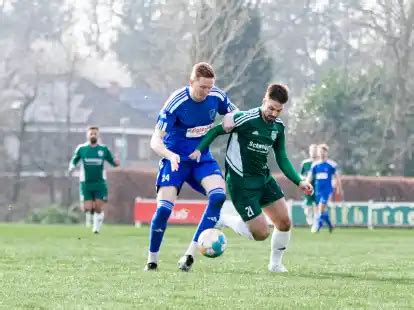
(216, 198)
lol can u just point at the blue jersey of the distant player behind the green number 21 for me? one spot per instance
(322, 173)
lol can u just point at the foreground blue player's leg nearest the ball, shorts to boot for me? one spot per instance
(209, 176)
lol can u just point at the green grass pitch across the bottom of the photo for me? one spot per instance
(68, 267)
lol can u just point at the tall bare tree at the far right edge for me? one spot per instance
(392, 22)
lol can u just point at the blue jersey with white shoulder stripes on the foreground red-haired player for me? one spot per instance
(186, 121)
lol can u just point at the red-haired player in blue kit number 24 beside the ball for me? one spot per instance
(184, 119)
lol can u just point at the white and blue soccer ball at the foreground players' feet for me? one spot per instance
(212, 242)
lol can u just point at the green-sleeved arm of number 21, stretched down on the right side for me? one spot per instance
(286, 165)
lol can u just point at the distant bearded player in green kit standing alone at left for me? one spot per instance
(92, 186)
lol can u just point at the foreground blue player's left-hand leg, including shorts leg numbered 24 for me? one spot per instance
(168, 184)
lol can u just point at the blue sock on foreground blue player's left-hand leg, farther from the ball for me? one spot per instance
(159, 224)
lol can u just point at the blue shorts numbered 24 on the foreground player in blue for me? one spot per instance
(188, 171)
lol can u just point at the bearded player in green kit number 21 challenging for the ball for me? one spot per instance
(249, 182)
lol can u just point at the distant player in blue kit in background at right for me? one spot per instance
(323, 173)
